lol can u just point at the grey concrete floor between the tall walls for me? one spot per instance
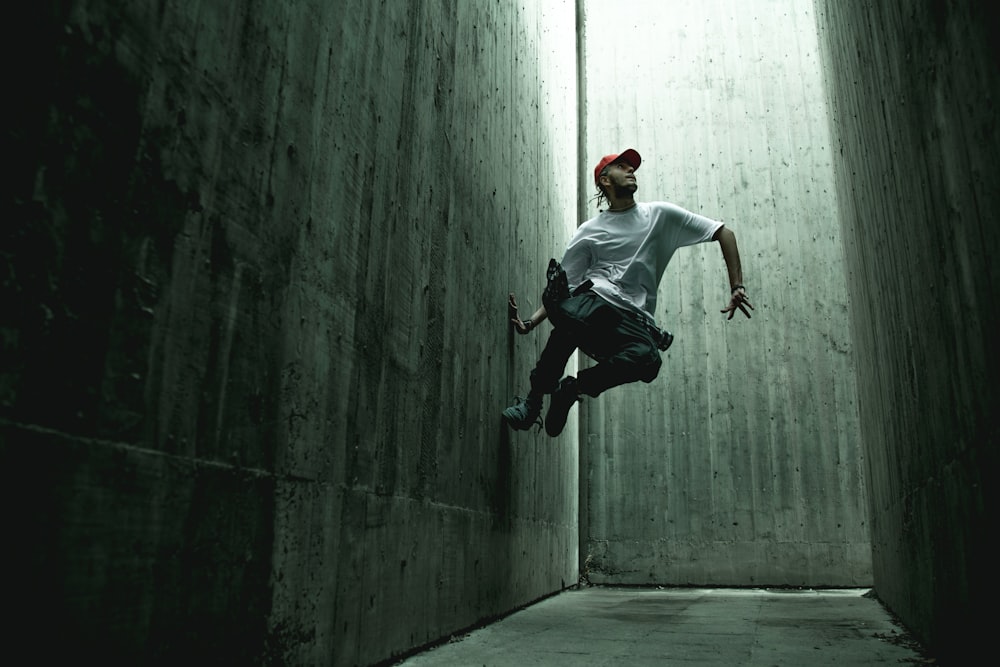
(686, 626)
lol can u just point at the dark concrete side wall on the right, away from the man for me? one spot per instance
(914, 89)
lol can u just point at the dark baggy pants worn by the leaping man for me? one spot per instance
(618, 341)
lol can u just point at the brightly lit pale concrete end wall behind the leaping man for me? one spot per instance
(741, 464)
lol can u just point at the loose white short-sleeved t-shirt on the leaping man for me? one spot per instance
(626, 252)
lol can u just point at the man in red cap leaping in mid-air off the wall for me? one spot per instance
(613, 266)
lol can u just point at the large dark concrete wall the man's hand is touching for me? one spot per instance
(255, 339)
